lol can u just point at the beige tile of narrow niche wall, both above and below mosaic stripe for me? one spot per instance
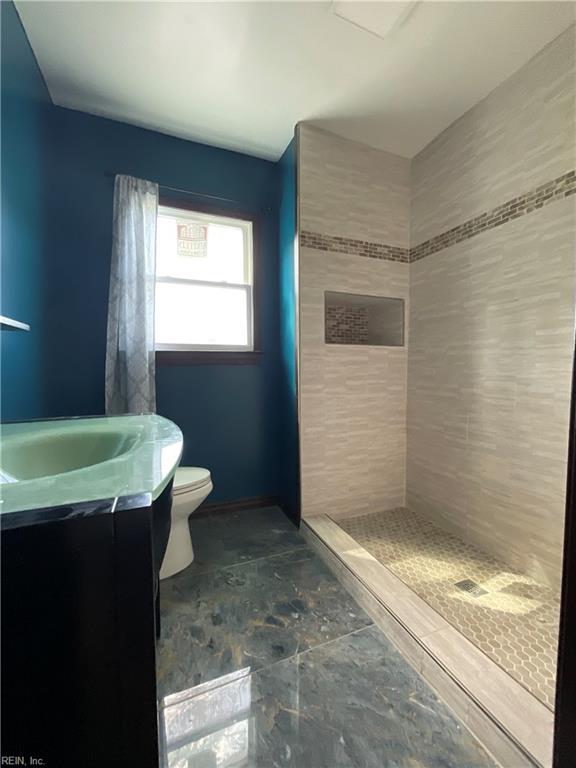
(352, 398)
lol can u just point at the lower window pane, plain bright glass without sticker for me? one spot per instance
(202, 315)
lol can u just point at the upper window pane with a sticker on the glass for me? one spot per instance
(193, 247)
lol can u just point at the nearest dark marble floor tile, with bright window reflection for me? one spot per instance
(353, 702)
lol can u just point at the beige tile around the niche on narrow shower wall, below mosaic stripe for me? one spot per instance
(352, 398)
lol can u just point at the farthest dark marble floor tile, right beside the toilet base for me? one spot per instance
(238, 537)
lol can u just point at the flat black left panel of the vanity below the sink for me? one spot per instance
(58, 643)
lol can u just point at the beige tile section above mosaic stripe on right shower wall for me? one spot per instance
(521, 135)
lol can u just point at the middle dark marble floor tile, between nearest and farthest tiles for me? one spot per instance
(248, 616)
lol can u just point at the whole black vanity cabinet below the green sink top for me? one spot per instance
(78, 636)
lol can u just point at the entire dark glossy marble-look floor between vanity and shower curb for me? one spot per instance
(265, 660)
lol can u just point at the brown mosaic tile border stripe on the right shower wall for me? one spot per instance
(518, 206)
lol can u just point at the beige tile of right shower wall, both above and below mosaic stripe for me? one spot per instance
(492, 321)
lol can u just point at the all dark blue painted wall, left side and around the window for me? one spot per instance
(56, 243)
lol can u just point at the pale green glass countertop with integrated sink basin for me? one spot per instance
(69, 461)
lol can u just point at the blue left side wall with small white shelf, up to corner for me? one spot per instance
(24, 105)
